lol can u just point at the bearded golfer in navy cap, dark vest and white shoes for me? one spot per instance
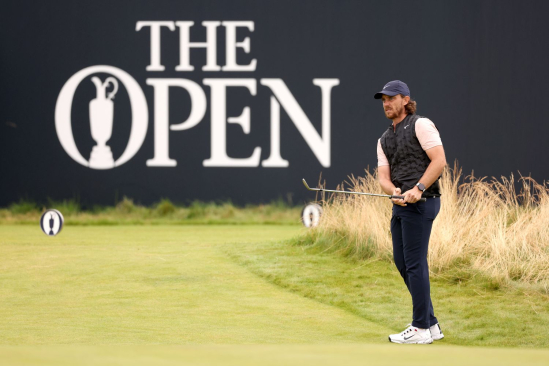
(410, 161)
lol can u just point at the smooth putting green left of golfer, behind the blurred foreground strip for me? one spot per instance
(154, 285)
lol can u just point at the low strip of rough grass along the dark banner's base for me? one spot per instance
(127, 212)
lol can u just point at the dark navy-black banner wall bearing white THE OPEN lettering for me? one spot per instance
(239, 100)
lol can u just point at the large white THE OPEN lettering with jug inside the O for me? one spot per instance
(102, 108)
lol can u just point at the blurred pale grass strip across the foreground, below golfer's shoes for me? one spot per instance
(244, 355)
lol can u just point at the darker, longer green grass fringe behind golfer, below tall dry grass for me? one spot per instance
(472, 311)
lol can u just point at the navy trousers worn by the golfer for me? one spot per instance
(411, 229)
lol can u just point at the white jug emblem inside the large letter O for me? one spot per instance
(101, 117)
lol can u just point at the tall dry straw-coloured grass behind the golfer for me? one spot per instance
(485, 226)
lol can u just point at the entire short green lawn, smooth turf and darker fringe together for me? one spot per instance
(236, 295)
